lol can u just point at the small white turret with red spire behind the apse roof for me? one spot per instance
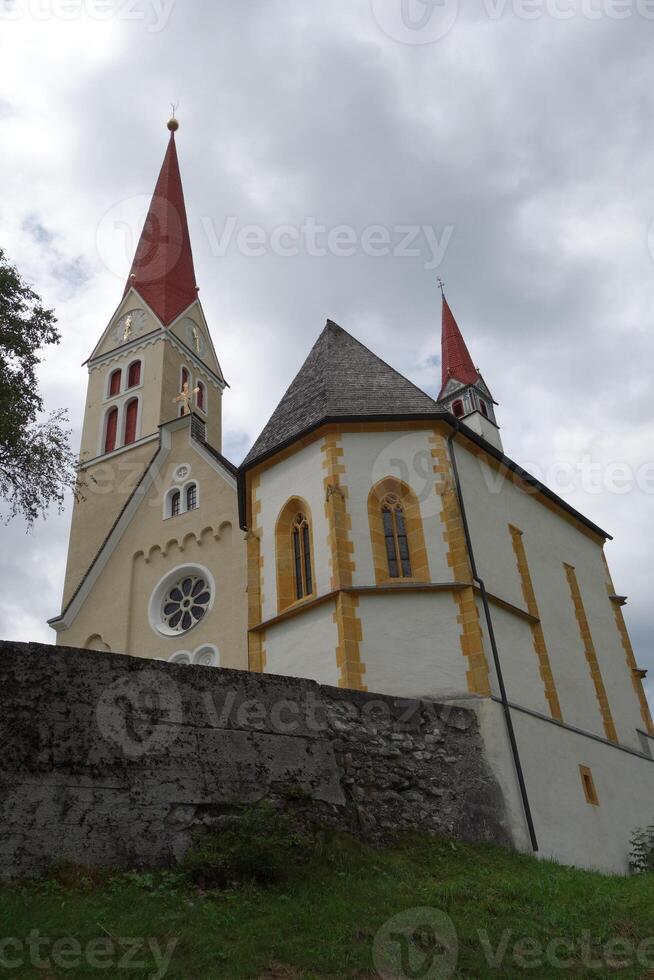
(464, 392)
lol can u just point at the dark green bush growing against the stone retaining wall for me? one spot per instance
(257, 844)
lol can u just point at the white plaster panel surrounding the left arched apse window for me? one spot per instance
(300, 475)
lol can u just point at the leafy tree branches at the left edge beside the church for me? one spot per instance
(37, 465)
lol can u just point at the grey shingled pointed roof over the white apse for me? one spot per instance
(339, 379)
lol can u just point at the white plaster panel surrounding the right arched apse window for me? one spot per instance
(371, 456)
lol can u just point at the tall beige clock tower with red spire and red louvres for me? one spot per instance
(154, 361)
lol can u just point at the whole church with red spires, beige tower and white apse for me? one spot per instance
(373, 539)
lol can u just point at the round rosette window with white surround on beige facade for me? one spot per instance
(181, 600)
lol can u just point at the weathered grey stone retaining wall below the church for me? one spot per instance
(123, 759)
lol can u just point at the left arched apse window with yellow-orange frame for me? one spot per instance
(293, 546)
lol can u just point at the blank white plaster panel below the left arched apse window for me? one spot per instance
(304, 646)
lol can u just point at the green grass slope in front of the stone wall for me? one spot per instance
(321, 921)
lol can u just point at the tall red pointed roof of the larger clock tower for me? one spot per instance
(162, 271)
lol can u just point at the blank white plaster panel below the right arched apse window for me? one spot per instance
(411, 645)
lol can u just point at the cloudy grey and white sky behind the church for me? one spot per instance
(375, 144)
